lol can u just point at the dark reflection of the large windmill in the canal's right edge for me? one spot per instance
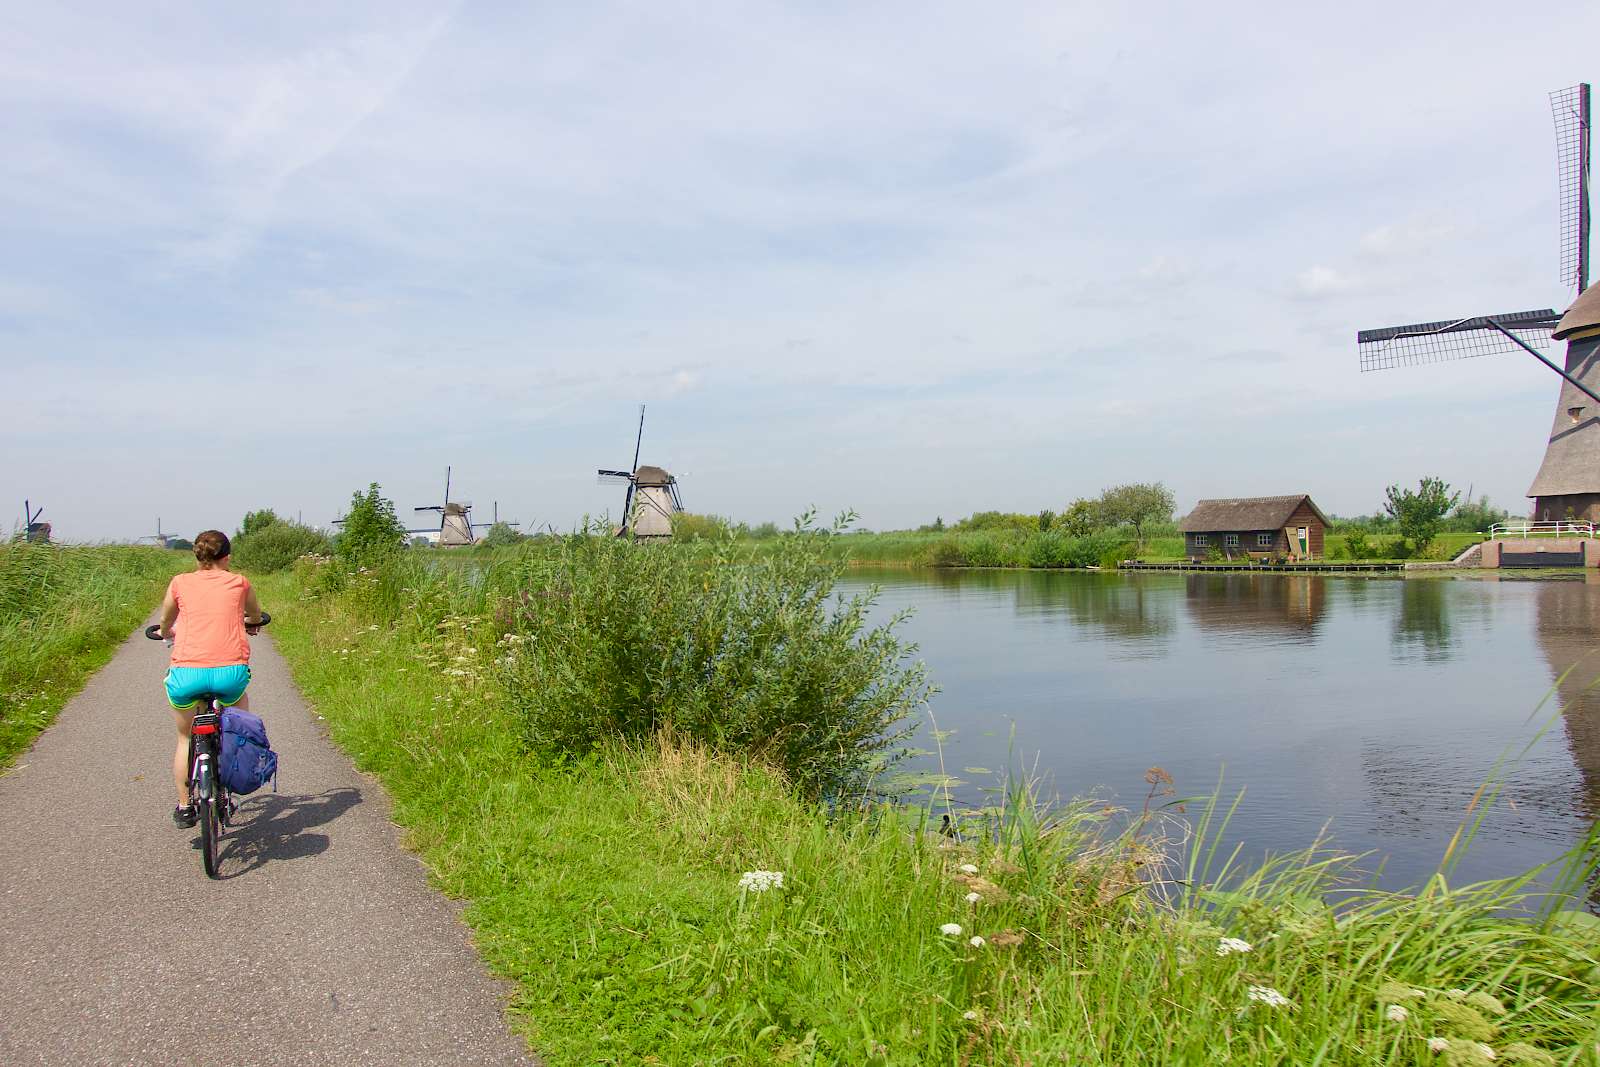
(1569, 636)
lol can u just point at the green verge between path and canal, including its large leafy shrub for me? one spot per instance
(586, 743)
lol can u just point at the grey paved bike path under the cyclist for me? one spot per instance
(326, 938)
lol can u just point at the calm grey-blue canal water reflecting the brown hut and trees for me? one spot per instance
(1375, 709)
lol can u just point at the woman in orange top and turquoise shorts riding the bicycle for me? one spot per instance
(210, 650)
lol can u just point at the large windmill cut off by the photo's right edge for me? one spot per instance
(1569, 481)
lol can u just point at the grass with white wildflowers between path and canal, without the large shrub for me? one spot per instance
(607, 887)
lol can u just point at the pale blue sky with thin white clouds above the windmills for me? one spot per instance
(911, 260)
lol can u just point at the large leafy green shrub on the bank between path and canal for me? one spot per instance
(710, 642)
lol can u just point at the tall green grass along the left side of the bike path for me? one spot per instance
(63, 612)
